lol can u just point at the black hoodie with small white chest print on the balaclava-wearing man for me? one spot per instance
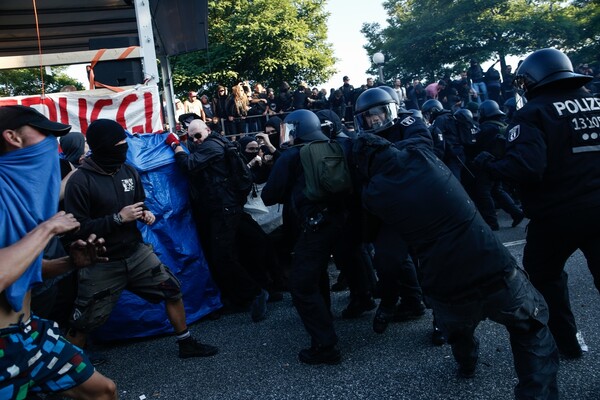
(93, 197)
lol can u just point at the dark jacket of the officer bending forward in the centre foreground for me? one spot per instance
(408, 187)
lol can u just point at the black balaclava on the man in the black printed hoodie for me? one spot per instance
(102, 135)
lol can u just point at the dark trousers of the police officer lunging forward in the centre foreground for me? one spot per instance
(520, 308)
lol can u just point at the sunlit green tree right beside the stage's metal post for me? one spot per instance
(261, 40)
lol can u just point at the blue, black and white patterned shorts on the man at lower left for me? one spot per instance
(35, 358)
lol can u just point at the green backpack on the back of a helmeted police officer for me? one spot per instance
(325, 170)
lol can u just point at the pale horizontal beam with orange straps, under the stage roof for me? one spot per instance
(76, 57)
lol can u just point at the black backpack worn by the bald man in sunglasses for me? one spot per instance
(240, 176)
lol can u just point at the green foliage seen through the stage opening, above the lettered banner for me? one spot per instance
(27, 81)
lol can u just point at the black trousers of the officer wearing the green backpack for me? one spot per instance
(309, 280)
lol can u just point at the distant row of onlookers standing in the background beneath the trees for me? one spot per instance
(245, 107)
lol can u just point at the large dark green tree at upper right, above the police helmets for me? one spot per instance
(429, 37)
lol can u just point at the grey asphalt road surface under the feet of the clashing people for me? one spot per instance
(259, 361)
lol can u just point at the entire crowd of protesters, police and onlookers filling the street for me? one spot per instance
(427, 168)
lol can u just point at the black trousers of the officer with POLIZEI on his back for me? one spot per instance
(550, 242)
